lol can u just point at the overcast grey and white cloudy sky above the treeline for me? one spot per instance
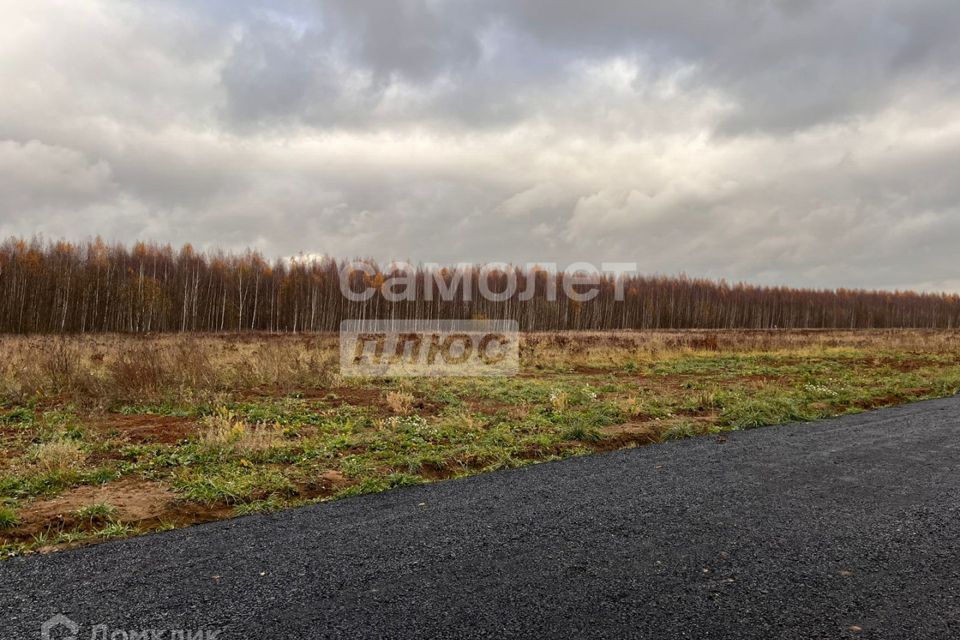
(802, 142)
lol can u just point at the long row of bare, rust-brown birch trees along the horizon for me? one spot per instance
(61, 287)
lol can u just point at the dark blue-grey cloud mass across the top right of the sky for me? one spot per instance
(787, 65)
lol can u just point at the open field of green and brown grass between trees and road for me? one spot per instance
(109, 436)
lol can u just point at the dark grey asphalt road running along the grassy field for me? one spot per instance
(844, 528)
